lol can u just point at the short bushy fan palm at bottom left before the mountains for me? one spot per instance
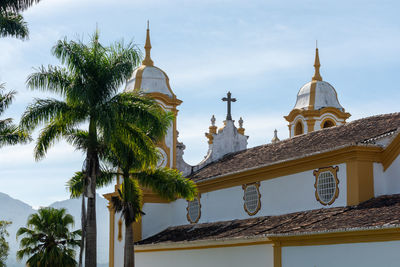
(47, 239)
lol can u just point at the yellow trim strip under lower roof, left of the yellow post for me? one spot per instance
(138, 249)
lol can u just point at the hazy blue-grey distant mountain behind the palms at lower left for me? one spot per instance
(17, 212)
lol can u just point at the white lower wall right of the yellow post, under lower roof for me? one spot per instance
(378, 254)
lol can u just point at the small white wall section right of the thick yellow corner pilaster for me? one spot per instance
(387, 182)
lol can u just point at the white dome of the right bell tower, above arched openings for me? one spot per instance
(325, 96)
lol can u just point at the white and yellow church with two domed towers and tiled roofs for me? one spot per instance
(329, 195)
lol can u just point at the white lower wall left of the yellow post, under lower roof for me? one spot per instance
(257, 255)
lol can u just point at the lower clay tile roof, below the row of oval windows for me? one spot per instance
(375, 213)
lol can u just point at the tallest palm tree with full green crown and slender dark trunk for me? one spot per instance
(89, 85)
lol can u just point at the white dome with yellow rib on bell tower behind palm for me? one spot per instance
(149, 79)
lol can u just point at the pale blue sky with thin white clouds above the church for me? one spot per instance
(262, 51)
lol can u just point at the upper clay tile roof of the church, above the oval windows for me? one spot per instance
(356, 132)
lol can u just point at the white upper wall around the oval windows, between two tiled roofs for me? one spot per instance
(281, 195)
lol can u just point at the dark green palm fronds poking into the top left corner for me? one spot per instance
(11, 21)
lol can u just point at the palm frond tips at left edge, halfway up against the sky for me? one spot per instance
(10, 134)
